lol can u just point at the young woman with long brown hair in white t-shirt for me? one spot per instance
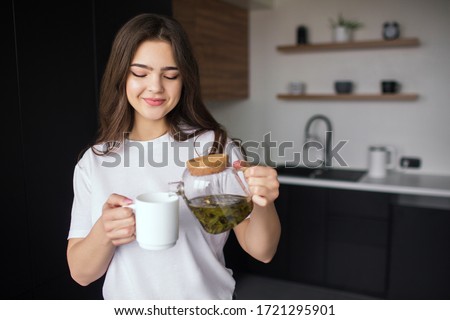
(151, 114)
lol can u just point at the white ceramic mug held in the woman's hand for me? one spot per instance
(157, 220)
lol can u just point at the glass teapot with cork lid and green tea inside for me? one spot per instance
(214, 193)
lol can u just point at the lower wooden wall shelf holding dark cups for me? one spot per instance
(354, 97)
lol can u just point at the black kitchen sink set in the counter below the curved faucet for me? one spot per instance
(321, 173)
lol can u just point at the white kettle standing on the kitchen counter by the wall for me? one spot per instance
(381, 159)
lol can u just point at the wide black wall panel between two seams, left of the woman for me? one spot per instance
(56, 79)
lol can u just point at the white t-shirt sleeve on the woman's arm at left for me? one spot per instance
(81, 219)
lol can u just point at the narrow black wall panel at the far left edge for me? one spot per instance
(16, 271)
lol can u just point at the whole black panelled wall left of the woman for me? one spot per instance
(51, 58)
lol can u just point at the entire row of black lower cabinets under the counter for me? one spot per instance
(377, 244)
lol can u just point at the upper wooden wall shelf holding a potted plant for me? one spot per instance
(368, 44)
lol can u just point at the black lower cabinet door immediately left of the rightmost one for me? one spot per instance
(357, 241)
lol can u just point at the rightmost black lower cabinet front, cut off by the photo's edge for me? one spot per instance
(420, 253)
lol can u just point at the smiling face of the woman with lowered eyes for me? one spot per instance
(154, 83)
